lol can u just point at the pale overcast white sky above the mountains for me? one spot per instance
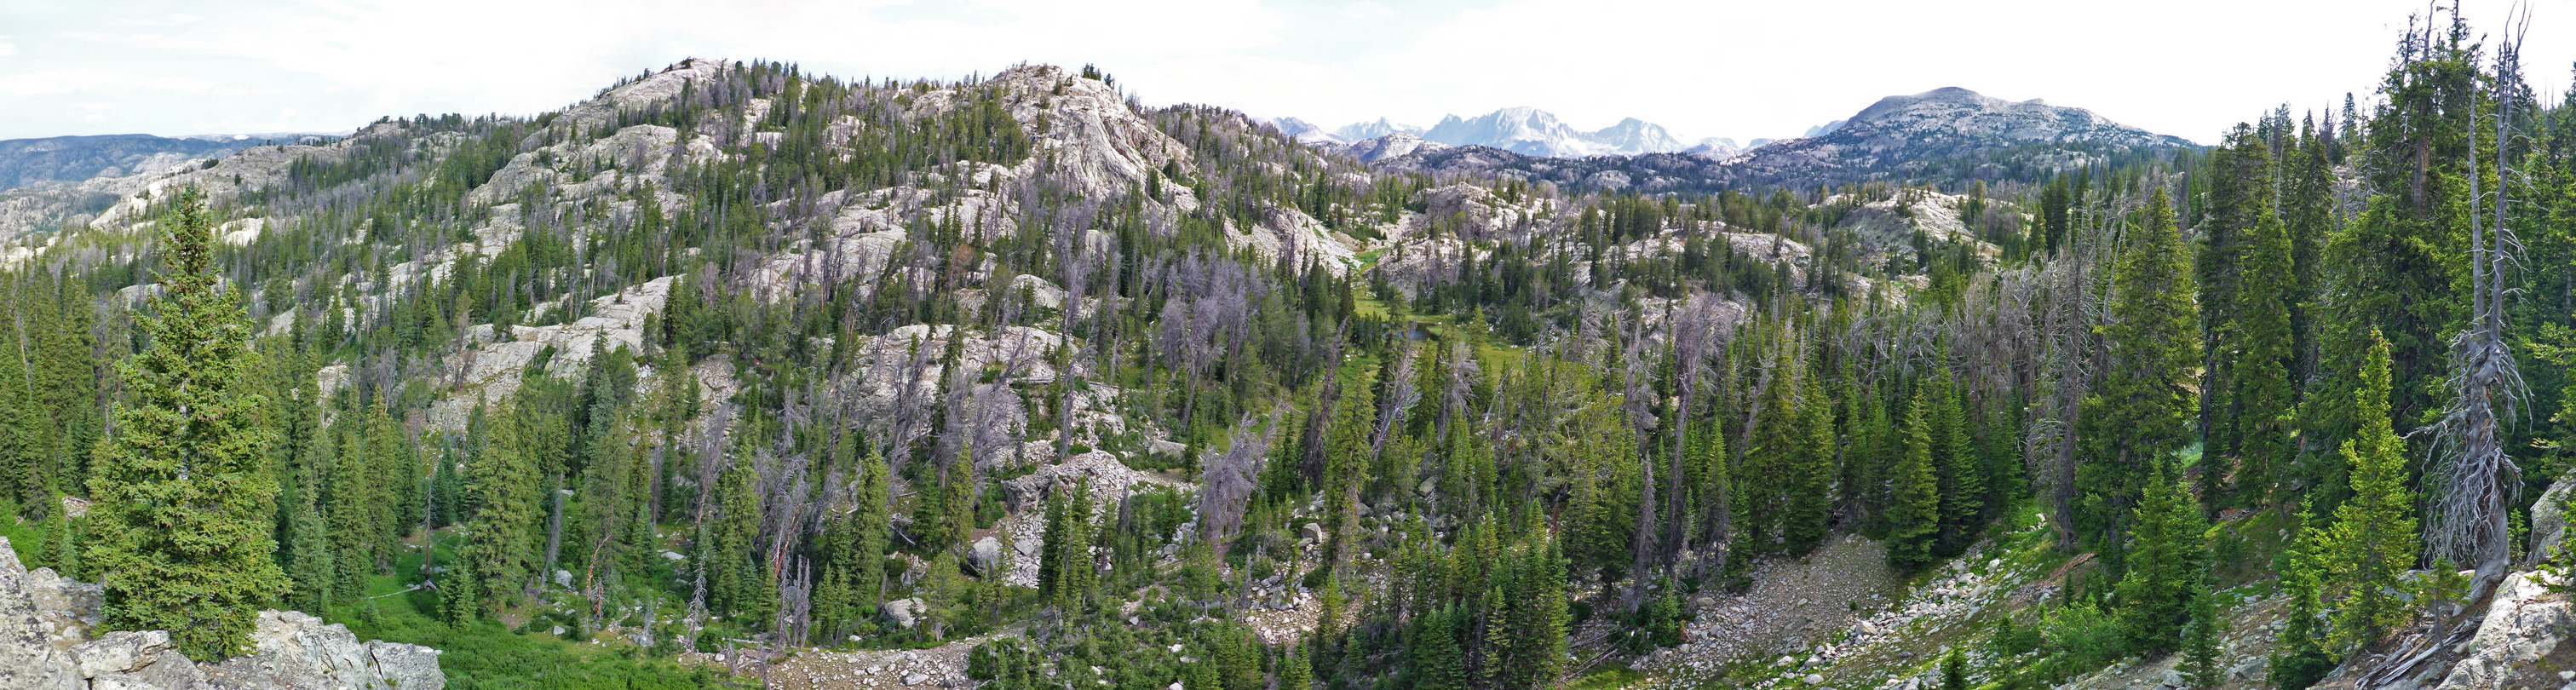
(1714, 68)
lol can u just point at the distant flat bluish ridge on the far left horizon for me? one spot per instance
(115, 156)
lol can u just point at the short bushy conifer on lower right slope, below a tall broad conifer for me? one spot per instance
(2168, 568)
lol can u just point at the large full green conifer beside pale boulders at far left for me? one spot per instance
(184, 496)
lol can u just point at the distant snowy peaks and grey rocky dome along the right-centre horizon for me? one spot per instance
(1938, 135)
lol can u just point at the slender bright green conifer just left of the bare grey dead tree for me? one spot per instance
(2374, 537)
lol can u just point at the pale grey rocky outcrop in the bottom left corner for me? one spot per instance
(45, 645)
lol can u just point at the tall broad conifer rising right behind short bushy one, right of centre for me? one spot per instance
(2145, 406)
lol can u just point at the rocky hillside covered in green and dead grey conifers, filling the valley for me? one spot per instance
(741, 375)
